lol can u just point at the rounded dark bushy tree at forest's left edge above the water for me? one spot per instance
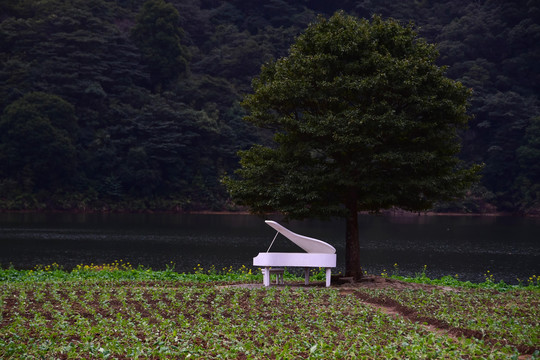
(38, 133)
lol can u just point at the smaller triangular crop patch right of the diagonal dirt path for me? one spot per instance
(510, 317)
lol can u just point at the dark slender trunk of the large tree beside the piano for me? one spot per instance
(352, 245)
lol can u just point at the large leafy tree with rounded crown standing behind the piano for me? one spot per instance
(363, 119)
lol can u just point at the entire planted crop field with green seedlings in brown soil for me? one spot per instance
(170, 319)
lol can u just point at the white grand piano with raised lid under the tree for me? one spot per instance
(318, 254)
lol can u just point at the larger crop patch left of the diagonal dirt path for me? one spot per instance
(109, 319)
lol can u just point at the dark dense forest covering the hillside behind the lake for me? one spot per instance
(134, 105)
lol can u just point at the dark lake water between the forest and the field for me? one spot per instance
(467, 246)
